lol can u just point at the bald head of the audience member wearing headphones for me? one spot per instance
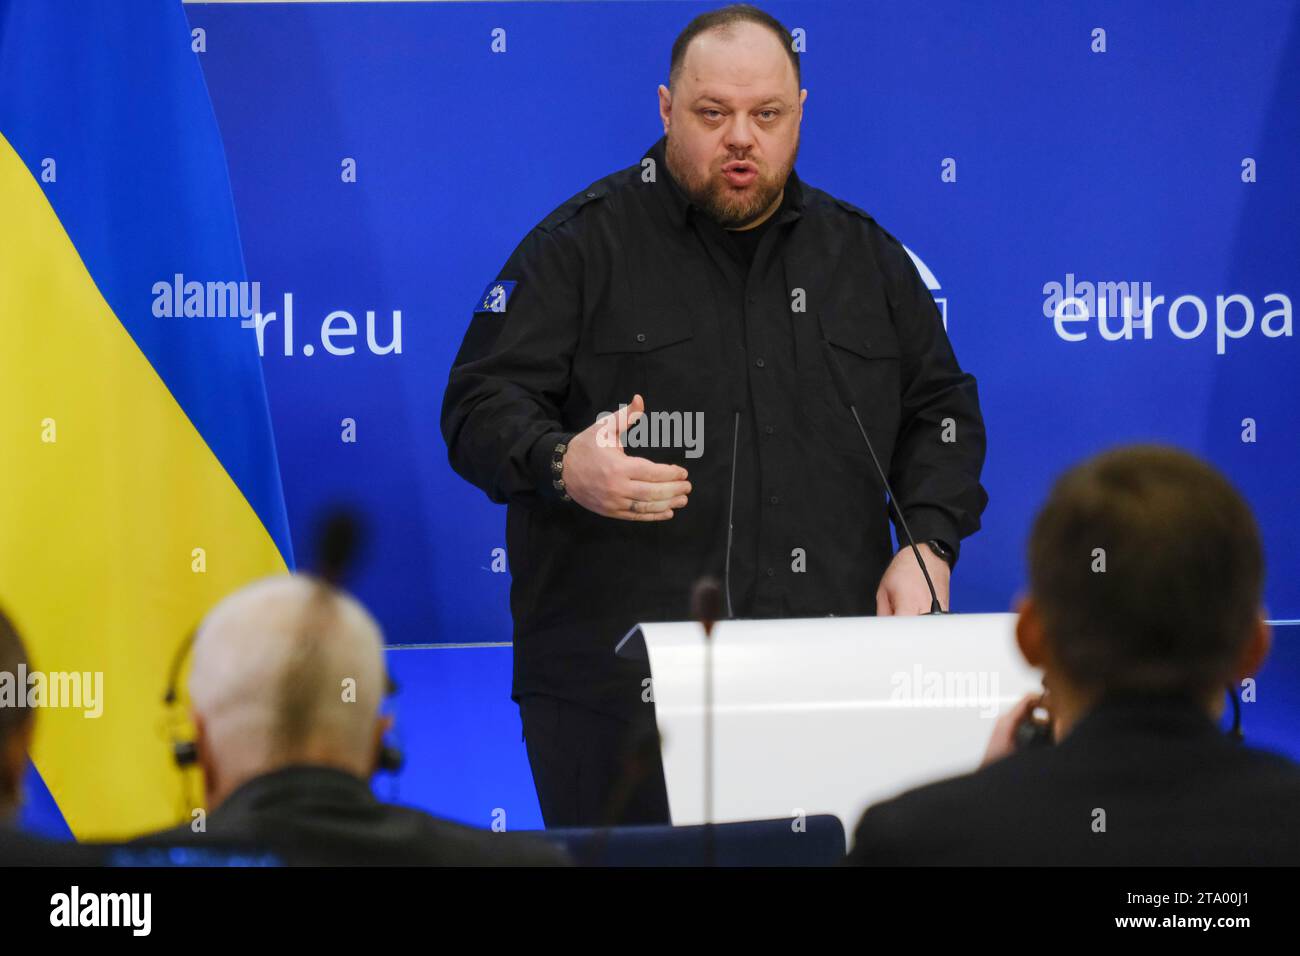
(288, 672)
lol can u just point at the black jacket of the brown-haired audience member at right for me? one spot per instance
(1176, 790)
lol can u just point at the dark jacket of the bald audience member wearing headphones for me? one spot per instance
(322, 816)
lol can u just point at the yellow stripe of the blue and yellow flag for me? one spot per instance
(106, 494)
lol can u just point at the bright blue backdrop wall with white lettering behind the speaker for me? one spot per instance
(1168, 158)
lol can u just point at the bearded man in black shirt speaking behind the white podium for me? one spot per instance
(703, 284)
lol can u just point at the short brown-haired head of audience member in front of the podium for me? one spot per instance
(1146, 579)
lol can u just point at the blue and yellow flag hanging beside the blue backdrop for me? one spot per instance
(138, 474)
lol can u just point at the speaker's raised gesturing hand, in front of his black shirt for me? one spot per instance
(603, 478)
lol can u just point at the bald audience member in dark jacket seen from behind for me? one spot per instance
(285, 689)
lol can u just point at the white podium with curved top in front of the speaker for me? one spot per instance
(827, 715)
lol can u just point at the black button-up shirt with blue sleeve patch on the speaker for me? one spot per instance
(630, 288)
